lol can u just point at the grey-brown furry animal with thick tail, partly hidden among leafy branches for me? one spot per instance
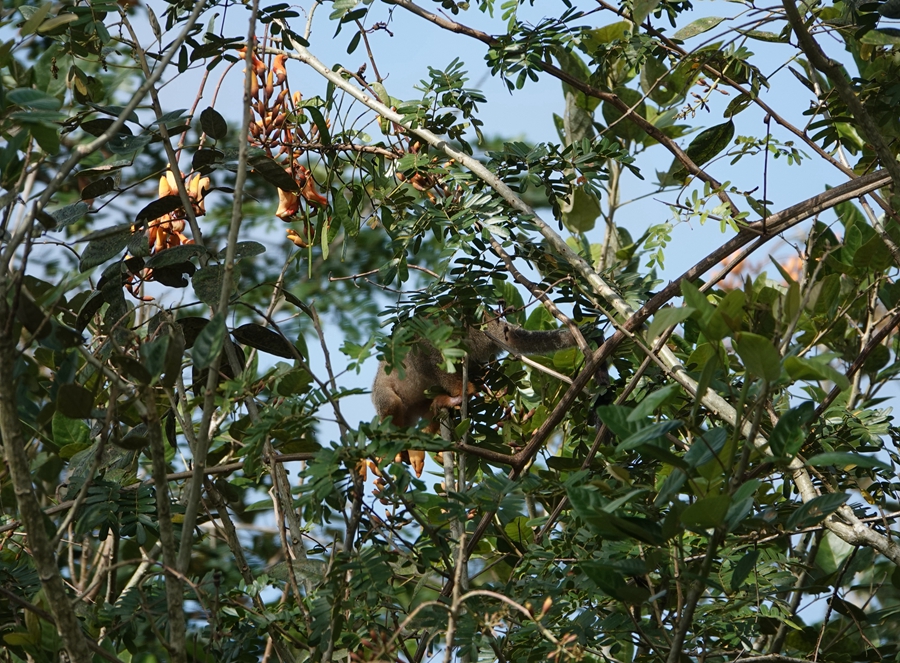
(411, 398)
